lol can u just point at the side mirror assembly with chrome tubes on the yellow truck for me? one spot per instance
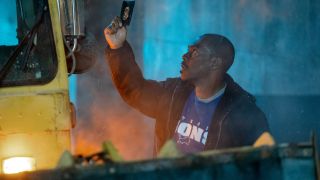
(80, 51)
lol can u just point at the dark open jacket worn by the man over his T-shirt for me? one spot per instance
(236, 122)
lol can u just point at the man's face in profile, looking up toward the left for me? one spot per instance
(196, 63)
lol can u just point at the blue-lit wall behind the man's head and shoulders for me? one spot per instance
(277, 52)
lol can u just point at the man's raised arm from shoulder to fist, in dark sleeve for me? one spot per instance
(142, 94)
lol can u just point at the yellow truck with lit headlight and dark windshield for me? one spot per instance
(36, 114)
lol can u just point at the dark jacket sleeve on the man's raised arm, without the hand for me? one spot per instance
(138, 92)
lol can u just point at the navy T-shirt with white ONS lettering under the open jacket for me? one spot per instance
(192, 129)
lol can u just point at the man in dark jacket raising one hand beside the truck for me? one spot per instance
(203, 109)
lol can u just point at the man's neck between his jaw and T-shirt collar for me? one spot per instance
(208, 87)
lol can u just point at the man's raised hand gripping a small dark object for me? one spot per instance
(115, 33)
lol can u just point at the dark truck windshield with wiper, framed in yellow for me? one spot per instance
(27, 51)
